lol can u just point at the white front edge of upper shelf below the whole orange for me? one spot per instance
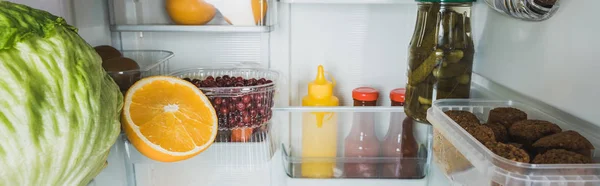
(183, 28)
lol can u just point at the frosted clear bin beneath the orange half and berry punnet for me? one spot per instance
(222, 163)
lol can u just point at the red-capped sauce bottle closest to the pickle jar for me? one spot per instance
(400, 142)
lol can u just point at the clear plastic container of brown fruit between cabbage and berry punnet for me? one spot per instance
(151, 62)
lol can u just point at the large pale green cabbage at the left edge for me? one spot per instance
(59, 109)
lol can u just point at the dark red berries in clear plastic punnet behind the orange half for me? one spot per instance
(239, 102)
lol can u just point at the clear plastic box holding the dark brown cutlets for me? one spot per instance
(467, 162)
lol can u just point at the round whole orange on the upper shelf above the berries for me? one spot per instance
(190, 12)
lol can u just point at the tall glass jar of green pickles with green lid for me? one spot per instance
(440, 59)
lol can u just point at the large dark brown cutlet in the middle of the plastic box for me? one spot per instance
(528, 131)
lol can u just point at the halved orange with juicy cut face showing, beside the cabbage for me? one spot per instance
(168, 119)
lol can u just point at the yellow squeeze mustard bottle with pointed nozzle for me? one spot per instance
(319, 129)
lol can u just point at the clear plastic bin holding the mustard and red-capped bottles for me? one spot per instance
(292, 147)
